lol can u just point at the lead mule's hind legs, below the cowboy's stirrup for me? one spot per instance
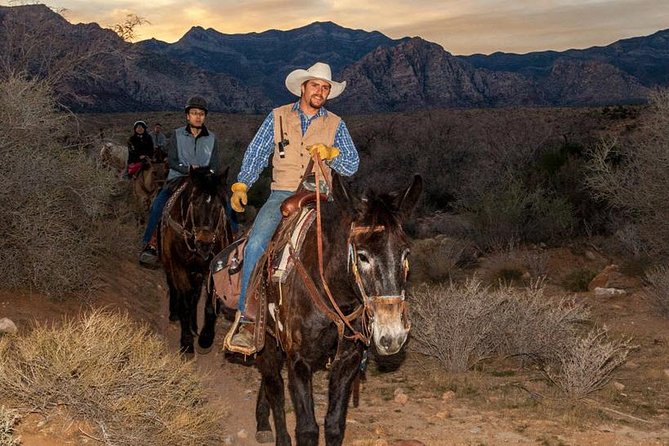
(271, 396)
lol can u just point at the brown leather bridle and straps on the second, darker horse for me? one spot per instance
(196, 233)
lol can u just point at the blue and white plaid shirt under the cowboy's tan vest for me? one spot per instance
(261, 148)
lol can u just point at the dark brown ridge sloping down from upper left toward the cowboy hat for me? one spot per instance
(92, 69)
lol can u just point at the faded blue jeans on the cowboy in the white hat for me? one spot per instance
(263, 228)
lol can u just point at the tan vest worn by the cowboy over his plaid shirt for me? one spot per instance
(287, 171)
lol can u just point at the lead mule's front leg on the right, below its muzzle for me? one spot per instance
(342, 374)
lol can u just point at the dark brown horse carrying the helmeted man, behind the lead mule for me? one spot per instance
(194, 229)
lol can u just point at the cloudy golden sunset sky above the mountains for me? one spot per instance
(461, 27)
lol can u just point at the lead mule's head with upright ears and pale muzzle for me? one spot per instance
(378, 259)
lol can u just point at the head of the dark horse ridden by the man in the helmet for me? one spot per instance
(206, 218)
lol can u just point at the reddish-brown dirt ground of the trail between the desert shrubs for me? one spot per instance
(410, 402)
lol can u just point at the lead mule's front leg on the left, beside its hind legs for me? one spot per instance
(300, 377)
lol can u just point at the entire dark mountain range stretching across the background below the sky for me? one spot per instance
(245, 72)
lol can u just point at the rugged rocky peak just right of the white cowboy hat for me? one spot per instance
(419, 74)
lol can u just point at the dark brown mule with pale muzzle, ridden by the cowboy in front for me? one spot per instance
(331, 309)
